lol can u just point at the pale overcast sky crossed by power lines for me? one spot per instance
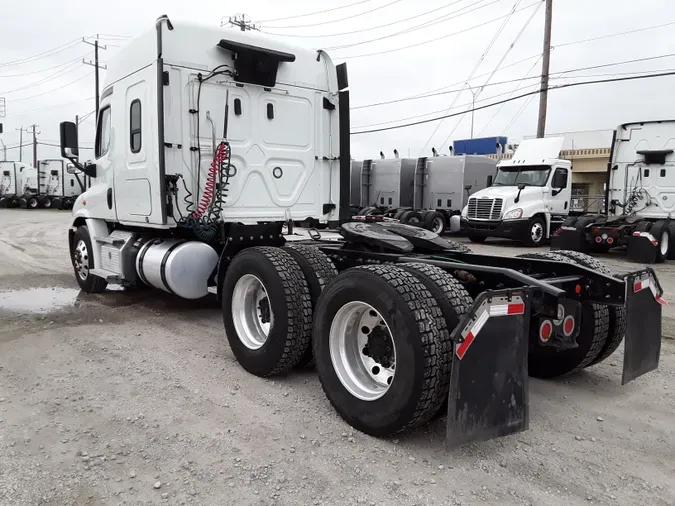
(487, 50)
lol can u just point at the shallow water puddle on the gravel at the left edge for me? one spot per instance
(38, 300)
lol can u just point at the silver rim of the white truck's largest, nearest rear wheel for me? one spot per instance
(362, 351)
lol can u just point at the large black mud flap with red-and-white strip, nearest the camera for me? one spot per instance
(489, 387)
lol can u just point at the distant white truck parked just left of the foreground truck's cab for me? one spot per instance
(59, 184)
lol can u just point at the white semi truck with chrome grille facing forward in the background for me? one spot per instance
(529, 197)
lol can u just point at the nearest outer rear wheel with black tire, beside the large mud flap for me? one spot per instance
(406, 316)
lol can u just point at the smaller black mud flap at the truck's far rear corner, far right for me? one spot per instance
(643, 324)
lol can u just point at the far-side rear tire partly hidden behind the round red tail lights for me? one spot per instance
(549, 362)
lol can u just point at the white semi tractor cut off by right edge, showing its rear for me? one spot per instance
(639, 199)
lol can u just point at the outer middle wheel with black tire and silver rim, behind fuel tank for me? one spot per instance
(267, 310)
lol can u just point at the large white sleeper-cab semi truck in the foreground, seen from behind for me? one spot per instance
(209, 140)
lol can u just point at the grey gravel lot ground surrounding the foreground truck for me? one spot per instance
(125, 398)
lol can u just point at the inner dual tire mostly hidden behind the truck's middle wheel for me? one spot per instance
(318, 271)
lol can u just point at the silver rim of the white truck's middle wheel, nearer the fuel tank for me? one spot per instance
(251, 311)
